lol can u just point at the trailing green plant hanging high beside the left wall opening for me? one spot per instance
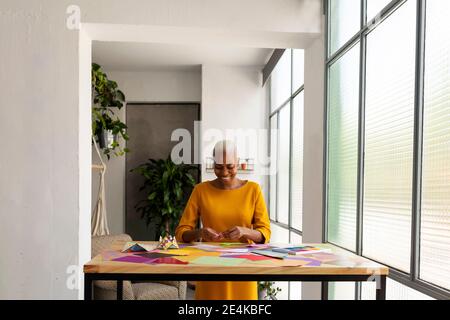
(106, 126)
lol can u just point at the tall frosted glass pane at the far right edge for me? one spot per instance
(435, 223)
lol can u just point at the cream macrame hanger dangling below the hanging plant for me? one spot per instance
(99, 221)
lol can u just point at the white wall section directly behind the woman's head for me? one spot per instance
(233, 98)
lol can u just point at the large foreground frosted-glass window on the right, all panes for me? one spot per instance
(388, 143)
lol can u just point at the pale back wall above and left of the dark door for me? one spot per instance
(149, 86)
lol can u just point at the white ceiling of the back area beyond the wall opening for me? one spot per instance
(131, 56)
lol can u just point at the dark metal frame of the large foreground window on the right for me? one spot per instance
(412, 278)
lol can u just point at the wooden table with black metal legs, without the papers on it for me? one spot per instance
(340, 266)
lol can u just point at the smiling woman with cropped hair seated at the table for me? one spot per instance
(230, 210)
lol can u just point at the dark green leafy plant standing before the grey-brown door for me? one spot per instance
(167, 187)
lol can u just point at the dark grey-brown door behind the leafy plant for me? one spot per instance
(150, 127)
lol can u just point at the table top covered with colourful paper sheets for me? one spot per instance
(191, 260)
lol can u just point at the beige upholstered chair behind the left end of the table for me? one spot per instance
(107, 290)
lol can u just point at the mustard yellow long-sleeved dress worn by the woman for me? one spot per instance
(221, 210)
